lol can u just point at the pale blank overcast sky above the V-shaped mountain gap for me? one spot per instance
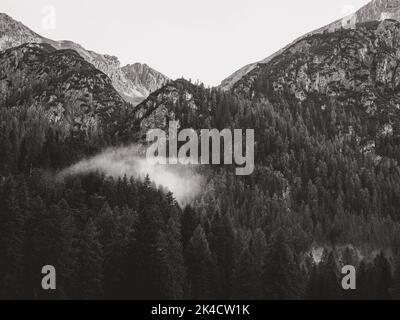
(198, 39)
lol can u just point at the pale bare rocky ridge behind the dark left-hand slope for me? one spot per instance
(14, 33)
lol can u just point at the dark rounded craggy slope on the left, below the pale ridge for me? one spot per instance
(61, 87)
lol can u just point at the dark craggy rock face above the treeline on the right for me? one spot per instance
(356, 70)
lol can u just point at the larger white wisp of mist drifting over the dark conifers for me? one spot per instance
(181, 180)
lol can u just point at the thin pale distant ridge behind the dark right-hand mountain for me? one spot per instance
(375, 10)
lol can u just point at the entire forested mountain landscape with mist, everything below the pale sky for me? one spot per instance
(76, 192)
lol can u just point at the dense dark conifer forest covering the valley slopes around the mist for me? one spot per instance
(316, 201)
